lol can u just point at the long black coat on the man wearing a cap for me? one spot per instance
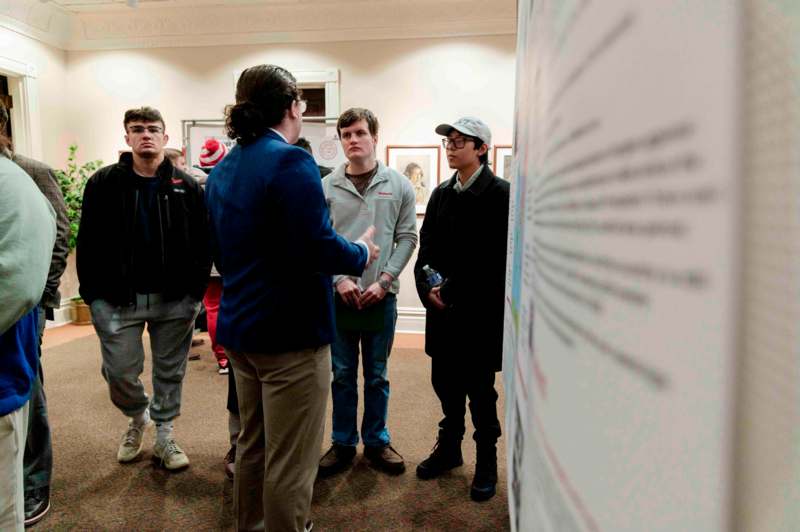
(464, 238)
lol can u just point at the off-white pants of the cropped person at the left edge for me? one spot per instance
(13, 429)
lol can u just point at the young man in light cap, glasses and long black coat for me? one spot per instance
(463, 238)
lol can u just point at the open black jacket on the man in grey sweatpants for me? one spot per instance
(105, 251)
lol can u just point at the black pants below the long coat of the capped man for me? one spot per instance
(453, 384)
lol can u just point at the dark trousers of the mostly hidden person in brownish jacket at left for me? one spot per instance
(38, 458)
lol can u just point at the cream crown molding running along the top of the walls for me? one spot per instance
(207, 25)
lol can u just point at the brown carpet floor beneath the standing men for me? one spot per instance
(91, 491)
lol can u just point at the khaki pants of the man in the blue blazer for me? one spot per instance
(282, 399)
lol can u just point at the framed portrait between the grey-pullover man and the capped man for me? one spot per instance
(420, 164)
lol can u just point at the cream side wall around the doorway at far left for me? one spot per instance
(51, 73)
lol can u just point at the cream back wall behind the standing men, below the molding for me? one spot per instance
(411, 85)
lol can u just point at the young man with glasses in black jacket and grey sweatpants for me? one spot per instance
(143, 258)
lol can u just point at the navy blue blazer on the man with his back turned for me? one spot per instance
(275, 247)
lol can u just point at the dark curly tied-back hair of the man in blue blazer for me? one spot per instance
(263, 94)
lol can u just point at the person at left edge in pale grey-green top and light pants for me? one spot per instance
(27, 234)
